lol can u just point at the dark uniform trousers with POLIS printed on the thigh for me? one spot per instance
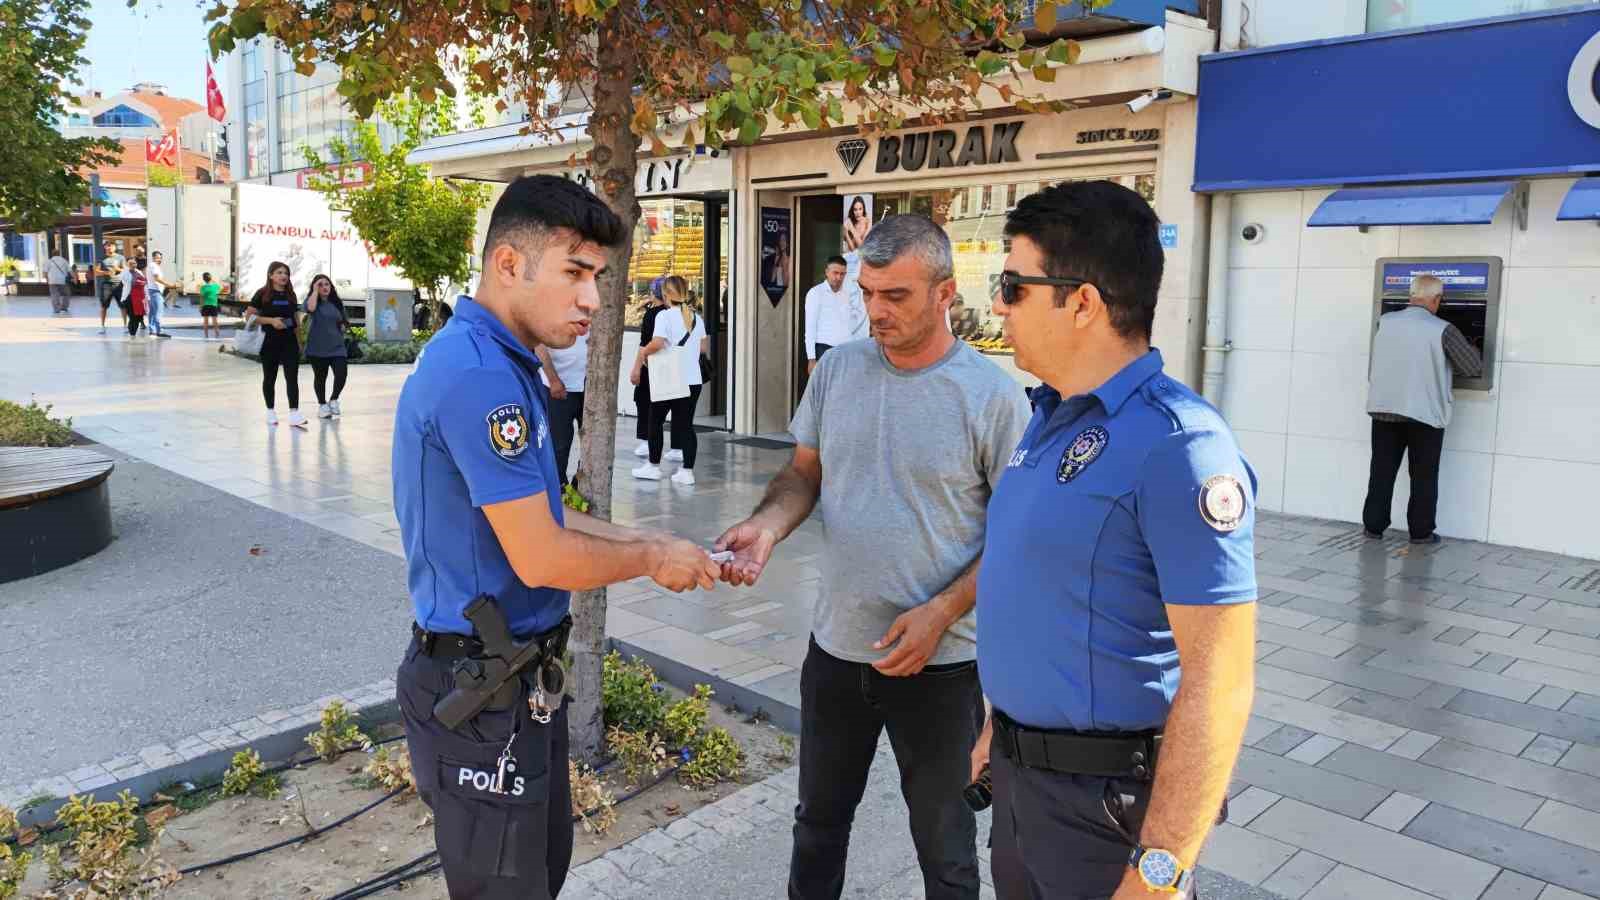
(495, 846)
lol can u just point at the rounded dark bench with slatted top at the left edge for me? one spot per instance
(55, 508)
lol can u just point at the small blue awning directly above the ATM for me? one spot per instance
(1412, 204)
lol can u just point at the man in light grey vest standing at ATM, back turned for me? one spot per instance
(1410, 401)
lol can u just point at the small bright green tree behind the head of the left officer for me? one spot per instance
(423, 225)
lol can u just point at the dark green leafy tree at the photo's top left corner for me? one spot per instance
(41, 171)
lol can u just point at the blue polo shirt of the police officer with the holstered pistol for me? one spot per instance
(471, 428)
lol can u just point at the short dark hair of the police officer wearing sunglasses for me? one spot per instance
(1105, 235)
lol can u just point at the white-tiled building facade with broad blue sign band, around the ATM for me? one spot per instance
(1345, 166)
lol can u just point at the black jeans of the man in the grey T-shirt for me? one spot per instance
(934, 720)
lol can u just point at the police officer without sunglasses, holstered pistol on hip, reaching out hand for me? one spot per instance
(481, 515)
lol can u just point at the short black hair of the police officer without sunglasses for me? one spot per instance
(535, 206)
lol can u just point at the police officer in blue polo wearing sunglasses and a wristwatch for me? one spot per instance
(1116, 601)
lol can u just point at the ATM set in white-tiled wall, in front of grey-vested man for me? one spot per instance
(1471, 300)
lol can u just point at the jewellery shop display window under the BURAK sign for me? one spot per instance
(974, 217)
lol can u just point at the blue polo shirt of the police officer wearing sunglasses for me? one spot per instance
(1116, 504)
